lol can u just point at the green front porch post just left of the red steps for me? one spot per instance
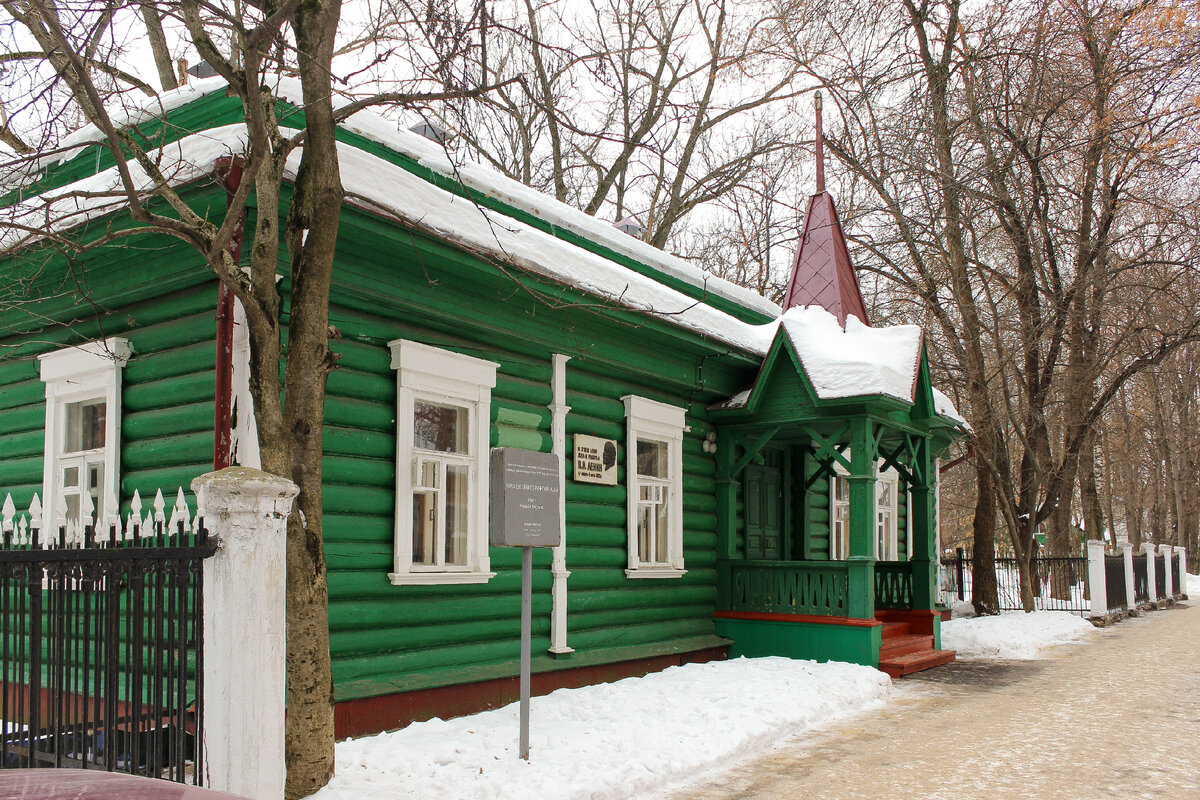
(861, 562)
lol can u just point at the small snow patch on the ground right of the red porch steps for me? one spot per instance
(1015, 635)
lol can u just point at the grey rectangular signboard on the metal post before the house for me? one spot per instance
(525, 498)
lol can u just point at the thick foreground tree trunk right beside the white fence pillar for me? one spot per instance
(311, 238)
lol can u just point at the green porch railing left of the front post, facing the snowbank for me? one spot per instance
(817, 588)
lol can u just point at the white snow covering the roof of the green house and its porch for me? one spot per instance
(841, 363)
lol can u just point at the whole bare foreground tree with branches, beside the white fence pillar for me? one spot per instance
(71, 71)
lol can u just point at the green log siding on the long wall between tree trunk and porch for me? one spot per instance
(388, 639)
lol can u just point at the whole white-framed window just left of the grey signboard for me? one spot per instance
(443, 423)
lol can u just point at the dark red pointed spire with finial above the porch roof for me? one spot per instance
(823, 274)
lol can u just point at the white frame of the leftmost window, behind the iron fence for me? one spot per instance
(76, 375)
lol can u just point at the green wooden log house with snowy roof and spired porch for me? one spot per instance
(737, 480)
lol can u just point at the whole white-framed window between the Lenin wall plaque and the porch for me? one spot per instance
(655, 485)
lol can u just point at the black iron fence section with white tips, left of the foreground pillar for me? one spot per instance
(101, 653)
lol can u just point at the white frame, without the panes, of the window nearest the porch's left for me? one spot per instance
(653, 422)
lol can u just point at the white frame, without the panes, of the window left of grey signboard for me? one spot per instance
(433, 375)
